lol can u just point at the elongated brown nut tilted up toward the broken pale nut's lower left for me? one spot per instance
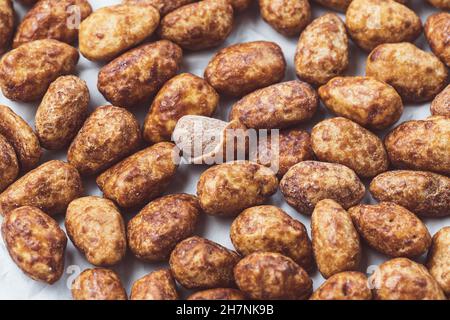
(141, 177)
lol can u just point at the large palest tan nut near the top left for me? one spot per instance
(109, 31)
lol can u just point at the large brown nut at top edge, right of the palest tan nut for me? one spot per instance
(198, 26)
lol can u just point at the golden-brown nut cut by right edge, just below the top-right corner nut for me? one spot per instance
(437, 32)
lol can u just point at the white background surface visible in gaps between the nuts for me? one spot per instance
(248, 27)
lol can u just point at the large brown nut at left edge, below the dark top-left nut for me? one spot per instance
(27, 72)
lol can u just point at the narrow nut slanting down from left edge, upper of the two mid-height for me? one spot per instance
(21, 137)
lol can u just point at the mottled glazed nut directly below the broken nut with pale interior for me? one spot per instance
(229, 188)
